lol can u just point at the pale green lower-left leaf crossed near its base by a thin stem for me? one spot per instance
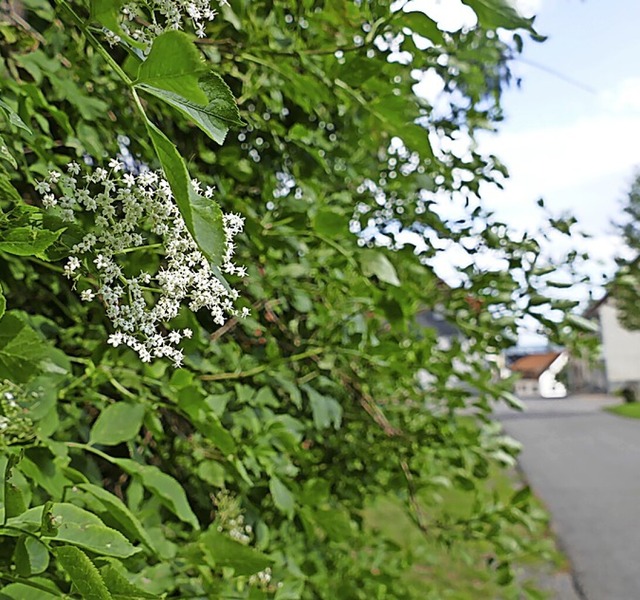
(79, 527)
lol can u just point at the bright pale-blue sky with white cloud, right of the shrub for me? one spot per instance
(572, 130)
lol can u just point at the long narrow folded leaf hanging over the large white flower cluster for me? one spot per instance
(202, 216)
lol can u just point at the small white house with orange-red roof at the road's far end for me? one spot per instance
(539, 375)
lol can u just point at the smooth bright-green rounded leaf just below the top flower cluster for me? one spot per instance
(174, 64)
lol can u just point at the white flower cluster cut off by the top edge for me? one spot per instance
(144, 20)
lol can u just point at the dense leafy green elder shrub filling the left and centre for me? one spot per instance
(245, 473)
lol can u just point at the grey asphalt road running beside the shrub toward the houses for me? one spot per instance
(585, 465)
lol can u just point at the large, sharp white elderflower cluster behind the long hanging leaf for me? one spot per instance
(133, 215)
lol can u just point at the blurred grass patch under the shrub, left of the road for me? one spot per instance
(462, 572)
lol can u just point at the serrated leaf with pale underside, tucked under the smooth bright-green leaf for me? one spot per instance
(215, 116)
